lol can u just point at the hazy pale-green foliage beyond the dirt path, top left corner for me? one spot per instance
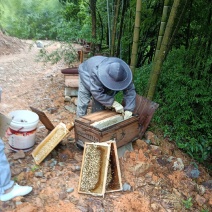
(31, 19)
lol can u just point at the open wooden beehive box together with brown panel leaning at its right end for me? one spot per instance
(123, 132)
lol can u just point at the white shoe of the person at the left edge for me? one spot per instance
(15, 192)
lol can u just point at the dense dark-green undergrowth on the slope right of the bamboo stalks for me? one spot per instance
(184, 95)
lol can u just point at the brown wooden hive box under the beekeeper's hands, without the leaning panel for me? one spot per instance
(123, 132)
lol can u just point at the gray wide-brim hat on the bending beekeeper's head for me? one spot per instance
(114, 74)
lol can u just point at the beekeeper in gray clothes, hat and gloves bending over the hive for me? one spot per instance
(102, 78)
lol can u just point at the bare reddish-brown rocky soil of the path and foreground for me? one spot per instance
(157, 180)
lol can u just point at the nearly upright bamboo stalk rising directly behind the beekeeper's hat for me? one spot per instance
(136, 35)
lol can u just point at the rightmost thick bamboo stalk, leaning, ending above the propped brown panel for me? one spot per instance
(163, 50)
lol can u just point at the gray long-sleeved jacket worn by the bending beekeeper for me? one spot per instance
(88, 75)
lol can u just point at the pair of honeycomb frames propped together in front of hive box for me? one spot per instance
(105, 180)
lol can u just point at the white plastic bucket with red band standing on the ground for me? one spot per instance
(22, 130)
